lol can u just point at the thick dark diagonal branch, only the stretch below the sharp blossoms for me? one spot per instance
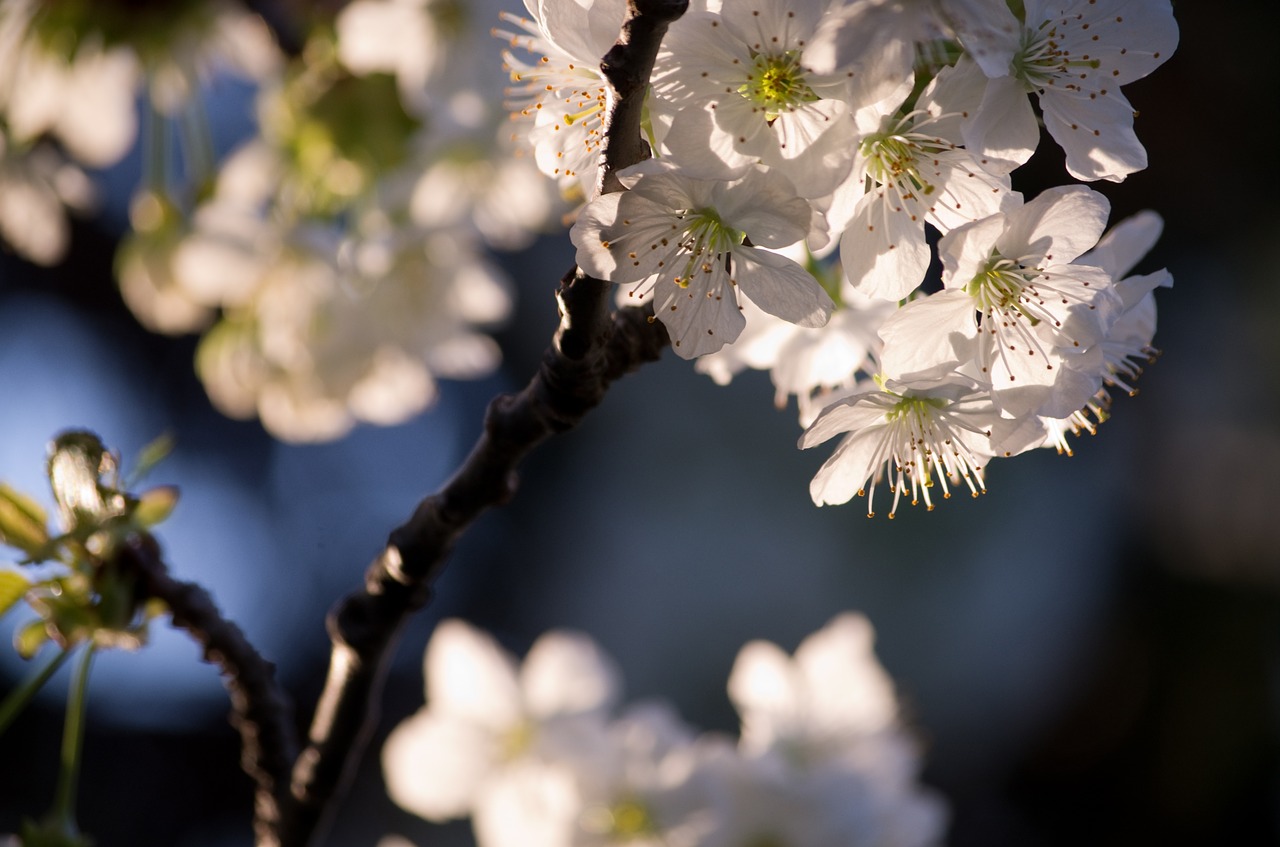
(399, 583)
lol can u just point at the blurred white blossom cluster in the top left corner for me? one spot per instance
(70, 75)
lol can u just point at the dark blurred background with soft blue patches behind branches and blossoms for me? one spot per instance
(1091, 652)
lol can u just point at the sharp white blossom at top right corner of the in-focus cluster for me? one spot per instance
(1075, 56)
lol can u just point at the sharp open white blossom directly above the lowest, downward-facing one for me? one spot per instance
(1017, 306)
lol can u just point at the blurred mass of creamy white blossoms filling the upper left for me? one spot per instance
(336, 263)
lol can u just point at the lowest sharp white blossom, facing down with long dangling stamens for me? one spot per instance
(921, 438)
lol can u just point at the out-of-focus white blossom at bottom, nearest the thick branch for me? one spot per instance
(486, 717)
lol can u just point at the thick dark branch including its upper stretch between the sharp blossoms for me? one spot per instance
(591, 350)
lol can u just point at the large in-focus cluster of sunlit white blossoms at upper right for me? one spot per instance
(803, 154)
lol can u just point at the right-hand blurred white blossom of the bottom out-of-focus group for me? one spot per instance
(828, 762)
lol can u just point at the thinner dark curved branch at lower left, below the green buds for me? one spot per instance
(260, 711)
